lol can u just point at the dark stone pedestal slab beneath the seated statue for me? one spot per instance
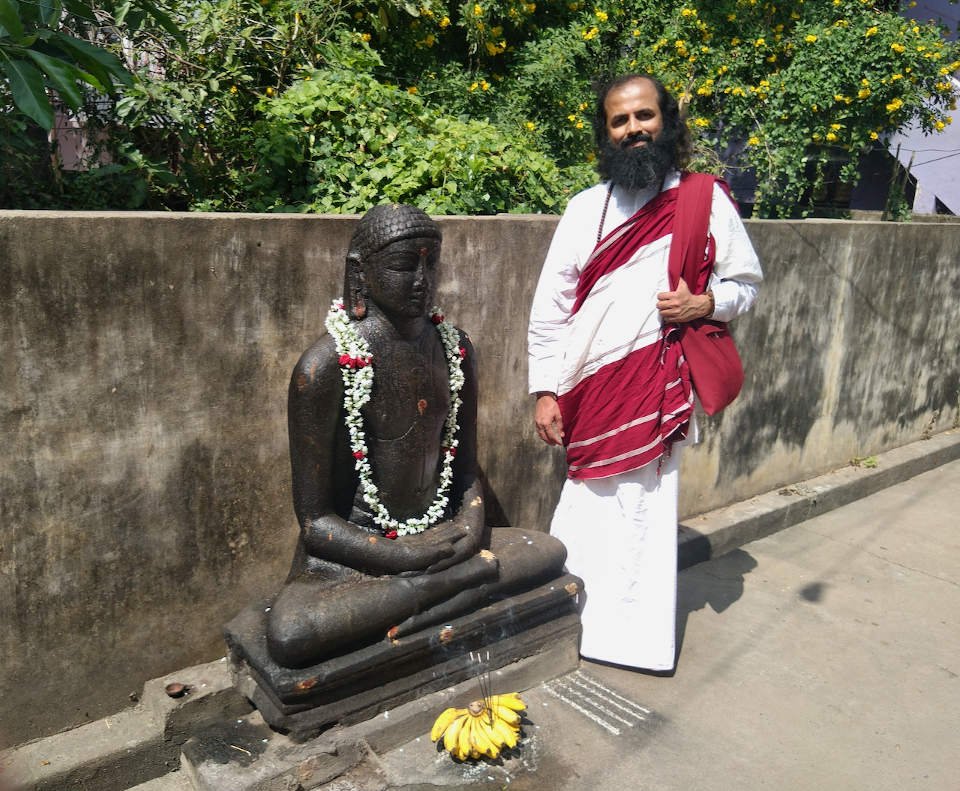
(359, 685)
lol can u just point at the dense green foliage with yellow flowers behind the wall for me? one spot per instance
(484, 107)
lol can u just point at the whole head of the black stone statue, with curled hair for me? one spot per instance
(392, 261)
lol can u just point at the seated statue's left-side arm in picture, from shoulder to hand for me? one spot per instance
(314, 411)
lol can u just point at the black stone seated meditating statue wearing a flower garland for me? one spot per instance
(382, 425)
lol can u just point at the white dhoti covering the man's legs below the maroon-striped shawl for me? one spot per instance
(621, 539)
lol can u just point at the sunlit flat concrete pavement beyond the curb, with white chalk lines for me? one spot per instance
(826, 656)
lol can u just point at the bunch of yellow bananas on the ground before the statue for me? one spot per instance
(484, 727)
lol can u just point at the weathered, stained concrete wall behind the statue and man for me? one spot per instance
(144, 492)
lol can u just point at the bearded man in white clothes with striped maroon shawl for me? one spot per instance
(606, 372)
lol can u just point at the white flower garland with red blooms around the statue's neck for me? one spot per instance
(356, 368)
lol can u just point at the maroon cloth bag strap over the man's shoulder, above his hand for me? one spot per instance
(691, 223)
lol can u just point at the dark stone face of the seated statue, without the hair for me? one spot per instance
(401, 278)
